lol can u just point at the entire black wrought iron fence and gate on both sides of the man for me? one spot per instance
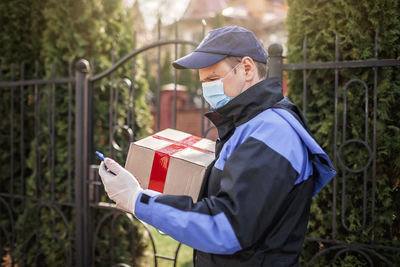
(75, 211)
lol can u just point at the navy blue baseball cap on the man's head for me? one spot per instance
(221, 43)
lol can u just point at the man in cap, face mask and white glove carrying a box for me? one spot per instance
(255, 205)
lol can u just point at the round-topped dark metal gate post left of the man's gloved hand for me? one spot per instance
(81, 162)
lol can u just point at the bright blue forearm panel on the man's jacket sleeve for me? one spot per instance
(210, 234)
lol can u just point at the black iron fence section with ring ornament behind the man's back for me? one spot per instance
(368, 171)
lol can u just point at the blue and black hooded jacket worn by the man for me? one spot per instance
(256, 199)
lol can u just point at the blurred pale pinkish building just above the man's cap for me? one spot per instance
(266, 18)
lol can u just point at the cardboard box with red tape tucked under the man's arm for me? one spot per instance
(171, 162)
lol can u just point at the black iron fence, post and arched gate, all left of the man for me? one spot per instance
(83, 189)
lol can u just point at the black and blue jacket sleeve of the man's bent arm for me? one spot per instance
(255, 181)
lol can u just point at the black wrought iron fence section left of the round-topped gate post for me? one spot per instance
(35, 99)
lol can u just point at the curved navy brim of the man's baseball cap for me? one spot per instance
(197, 60)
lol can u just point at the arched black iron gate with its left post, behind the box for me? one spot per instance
(88, 228)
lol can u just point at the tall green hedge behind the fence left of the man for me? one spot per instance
(55, 34)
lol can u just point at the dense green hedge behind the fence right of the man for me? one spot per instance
(355, 23)
